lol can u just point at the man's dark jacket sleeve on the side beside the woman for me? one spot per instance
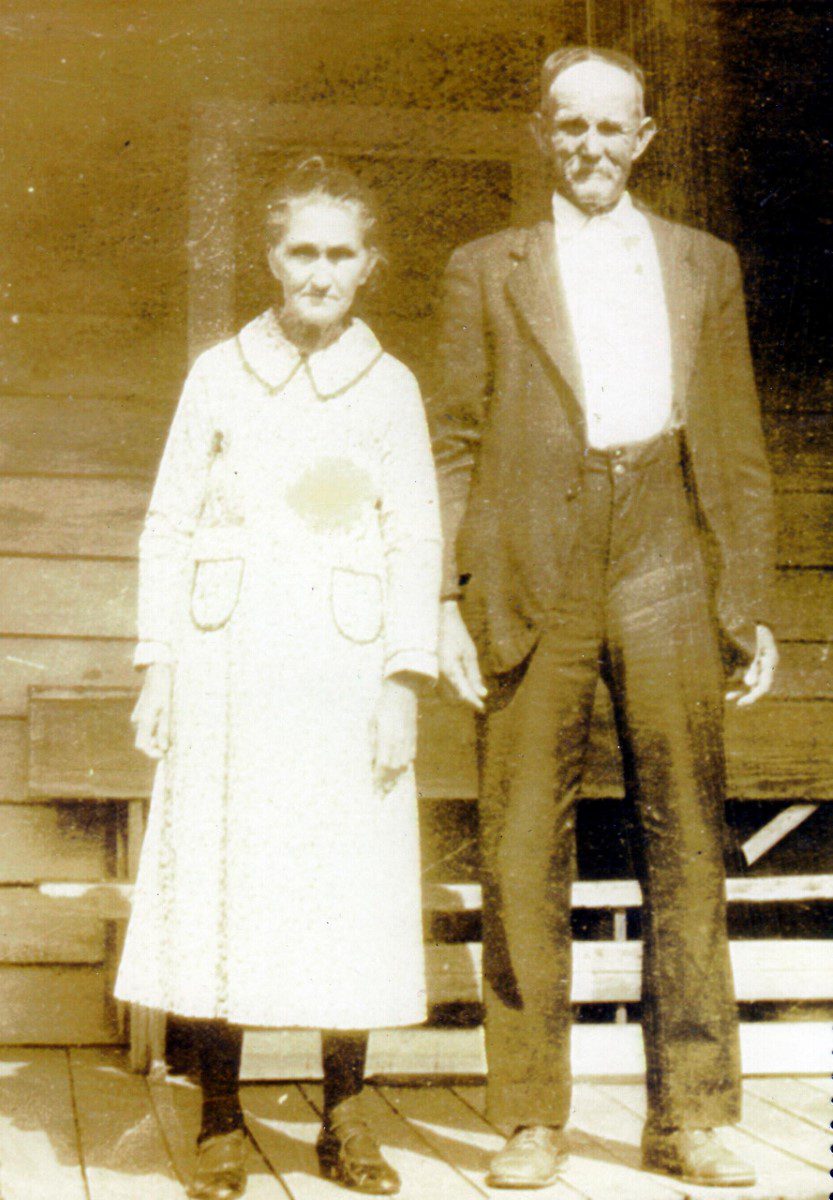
(458, 400)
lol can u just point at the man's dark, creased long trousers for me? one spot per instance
(636, 611)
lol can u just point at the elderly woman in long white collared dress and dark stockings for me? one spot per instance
(289, 597)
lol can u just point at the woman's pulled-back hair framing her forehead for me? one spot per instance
(321, 178)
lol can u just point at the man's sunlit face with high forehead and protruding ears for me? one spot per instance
(594, 133)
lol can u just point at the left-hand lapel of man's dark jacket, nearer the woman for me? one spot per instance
(538, 296)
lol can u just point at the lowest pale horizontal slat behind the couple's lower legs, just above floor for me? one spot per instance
(771, 1048)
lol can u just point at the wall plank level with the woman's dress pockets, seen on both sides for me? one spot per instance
(85, 598)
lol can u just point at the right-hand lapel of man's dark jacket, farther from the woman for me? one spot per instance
(684, 286)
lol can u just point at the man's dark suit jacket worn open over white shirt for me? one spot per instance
(510, 429)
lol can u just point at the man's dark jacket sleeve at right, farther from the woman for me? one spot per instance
(739, 505)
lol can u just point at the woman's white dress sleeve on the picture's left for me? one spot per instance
(171, 523)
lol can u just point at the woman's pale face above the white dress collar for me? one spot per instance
(321, 262)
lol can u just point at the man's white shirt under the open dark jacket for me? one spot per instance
(616, 302)
